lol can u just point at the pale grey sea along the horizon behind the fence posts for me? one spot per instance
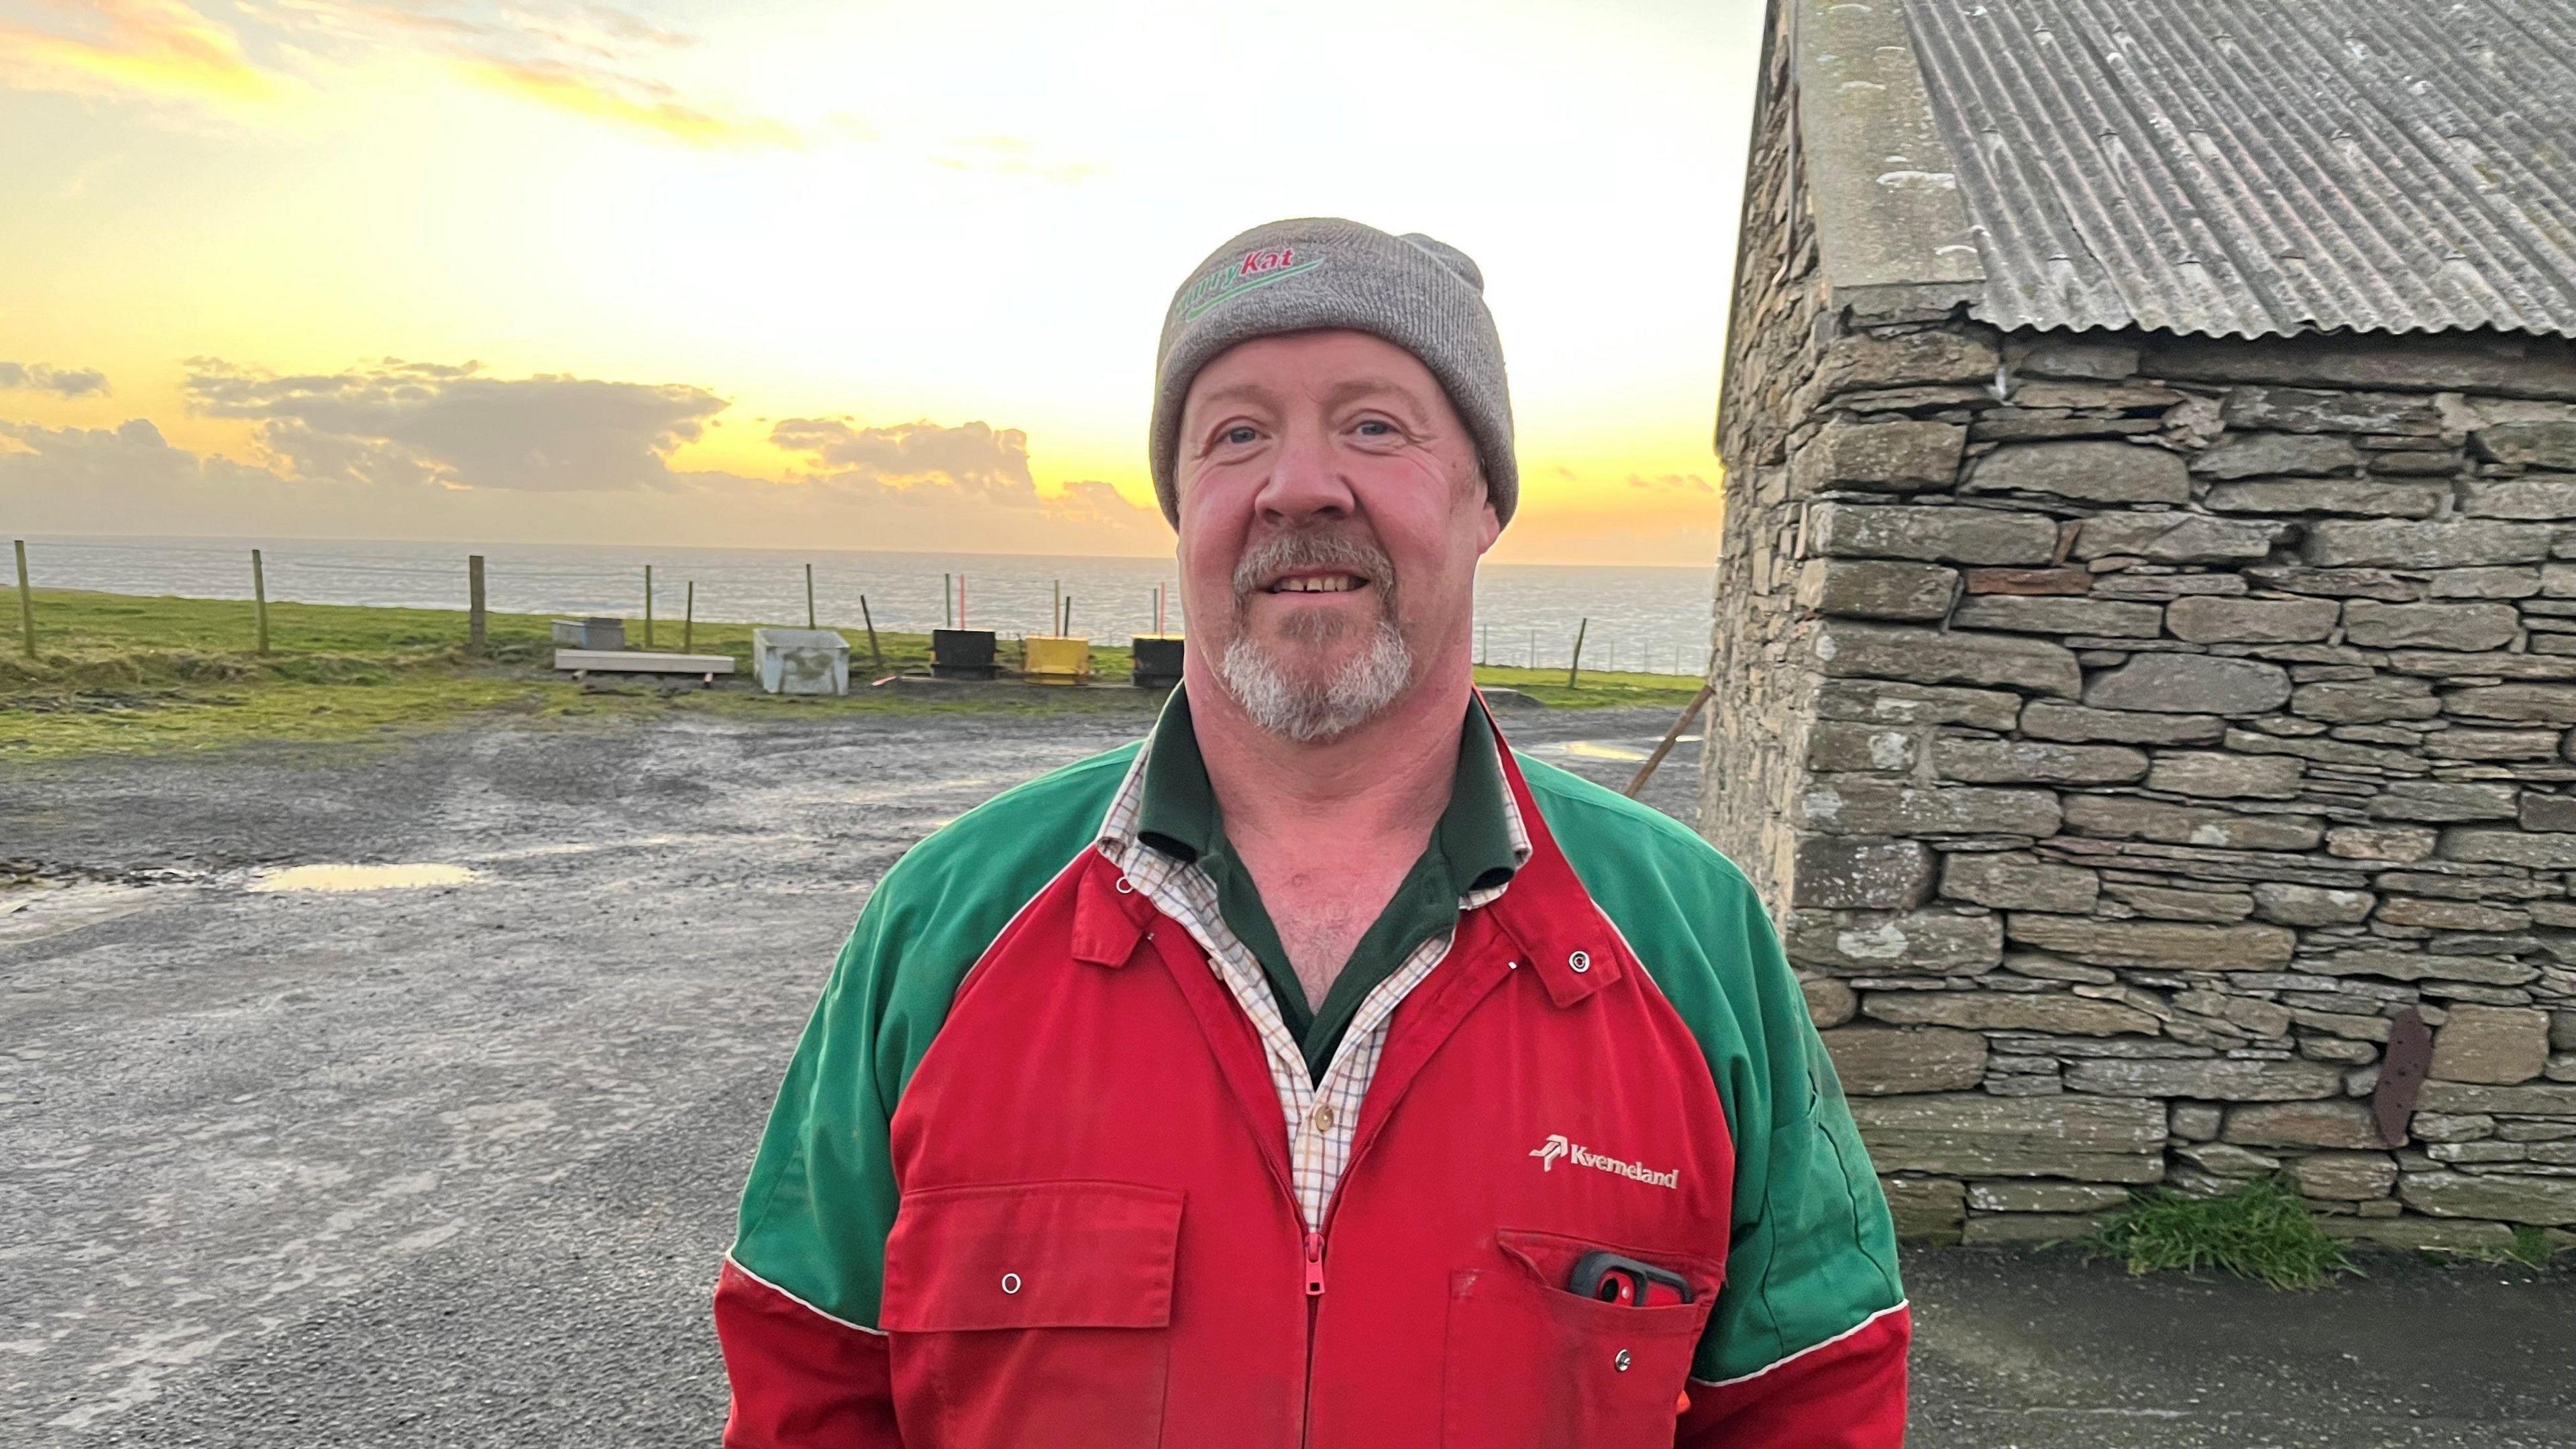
(1650, 620)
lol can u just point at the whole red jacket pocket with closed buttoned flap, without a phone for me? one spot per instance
(1032, 1314)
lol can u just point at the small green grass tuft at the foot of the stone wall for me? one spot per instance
(2263, 1231)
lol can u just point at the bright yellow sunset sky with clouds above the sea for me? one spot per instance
(875, 277)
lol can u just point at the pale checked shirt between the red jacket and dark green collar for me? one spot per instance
(1320, 1115)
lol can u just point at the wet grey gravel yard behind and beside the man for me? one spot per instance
(455, 1167)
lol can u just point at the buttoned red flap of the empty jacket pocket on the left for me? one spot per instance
(1032, 1257)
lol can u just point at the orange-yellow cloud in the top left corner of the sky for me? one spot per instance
(156, 48)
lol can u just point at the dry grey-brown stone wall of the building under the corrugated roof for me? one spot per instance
(2134, 734)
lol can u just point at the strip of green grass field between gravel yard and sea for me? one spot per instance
(122, 674)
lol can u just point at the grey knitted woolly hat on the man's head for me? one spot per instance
(1325, 272)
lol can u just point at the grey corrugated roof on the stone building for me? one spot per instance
(2263, 166)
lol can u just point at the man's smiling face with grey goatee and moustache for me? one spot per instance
(1331, 525)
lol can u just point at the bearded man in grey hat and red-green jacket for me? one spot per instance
(1318, 1071)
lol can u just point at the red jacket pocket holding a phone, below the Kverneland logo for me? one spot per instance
(1531, 1365)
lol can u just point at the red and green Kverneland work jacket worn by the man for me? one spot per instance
(1029, 1182)
